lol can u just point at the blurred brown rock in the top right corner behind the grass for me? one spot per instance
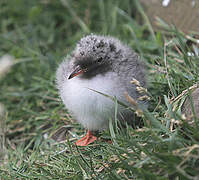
(183, 13)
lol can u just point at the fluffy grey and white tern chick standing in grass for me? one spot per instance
(103, 64)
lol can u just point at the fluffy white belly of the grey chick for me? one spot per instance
(90, 108)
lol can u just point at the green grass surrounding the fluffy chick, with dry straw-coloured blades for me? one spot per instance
(39, 34)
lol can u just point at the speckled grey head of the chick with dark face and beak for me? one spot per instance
(92, 55)
